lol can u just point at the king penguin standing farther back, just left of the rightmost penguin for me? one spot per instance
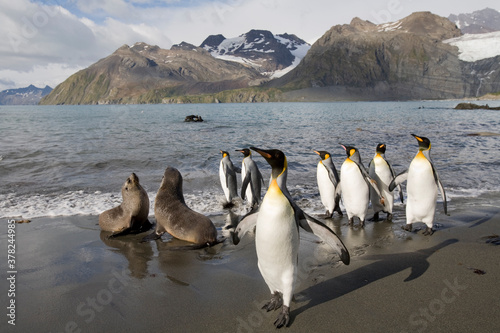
(382, 172)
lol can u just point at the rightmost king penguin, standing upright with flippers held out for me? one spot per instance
(422, 188)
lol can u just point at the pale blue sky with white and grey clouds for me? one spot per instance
(44, 42)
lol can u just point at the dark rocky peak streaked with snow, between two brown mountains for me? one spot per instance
(272, 55)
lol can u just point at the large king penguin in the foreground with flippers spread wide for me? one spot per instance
(277, 223)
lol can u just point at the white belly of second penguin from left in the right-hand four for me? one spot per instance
(355, 192)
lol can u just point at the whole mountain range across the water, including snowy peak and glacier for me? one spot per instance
(422, 56)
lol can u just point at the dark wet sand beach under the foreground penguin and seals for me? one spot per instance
(70, 278)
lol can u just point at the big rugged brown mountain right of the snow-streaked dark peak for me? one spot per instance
(402, 60)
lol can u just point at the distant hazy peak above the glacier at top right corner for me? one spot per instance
(478, 22)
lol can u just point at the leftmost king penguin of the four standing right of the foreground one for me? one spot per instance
(328, 180)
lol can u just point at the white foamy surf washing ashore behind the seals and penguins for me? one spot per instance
(208, 202)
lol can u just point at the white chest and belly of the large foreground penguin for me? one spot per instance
(277, 240)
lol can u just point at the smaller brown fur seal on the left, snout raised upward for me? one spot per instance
(131, 214)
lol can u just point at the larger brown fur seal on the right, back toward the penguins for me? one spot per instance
(175, 217)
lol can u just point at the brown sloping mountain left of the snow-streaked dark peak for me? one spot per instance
(144, 73)
